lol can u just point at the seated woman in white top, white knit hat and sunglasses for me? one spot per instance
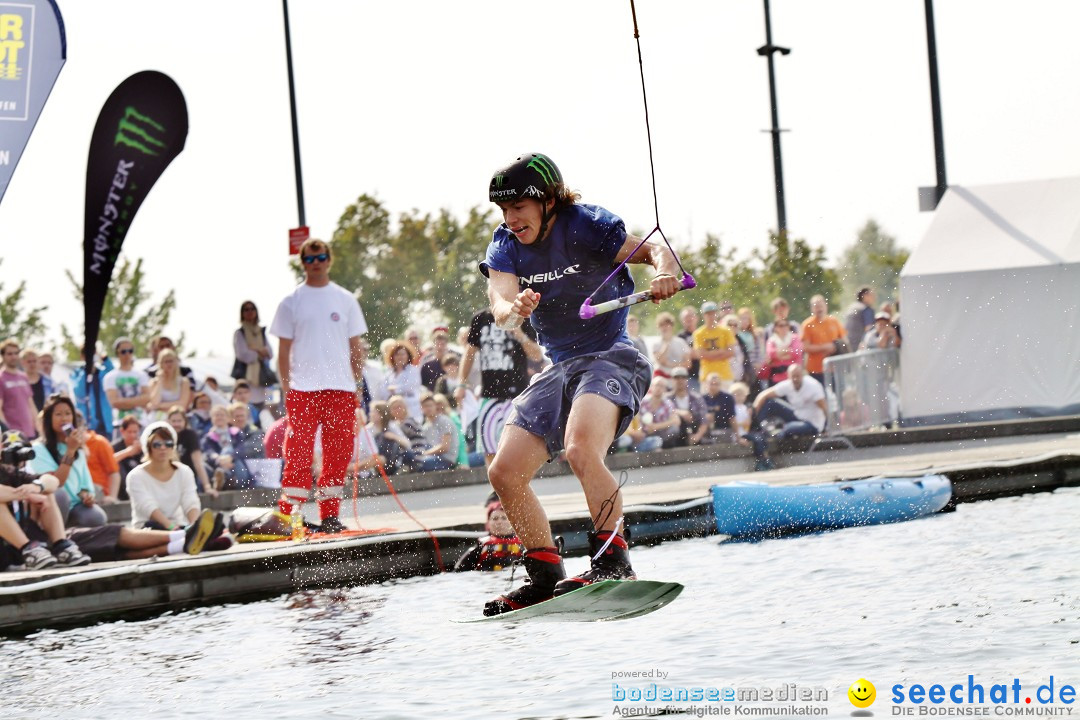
(164, 491)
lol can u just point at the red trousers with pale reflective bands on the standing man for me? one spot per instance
(336, 412)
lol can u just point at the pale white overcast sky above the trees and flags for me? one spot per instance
(418, 102)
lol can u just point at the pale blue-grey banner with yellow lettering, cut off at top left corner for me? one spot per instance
(33, 50)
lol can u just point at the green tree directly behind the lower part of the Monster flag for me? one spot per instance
(129, 311)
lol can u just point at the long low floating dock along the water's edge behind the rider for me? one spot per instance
(671, 508)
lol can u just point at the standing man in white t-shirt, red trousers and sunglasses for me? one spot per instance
(320, 365)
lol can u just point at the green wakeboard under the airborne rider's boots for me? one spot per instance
(611, 600)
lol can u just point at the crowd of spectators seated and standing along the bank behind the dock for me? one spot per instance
(421, 412)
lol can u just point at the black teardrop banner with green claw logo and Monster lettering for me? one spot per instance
(140, 131)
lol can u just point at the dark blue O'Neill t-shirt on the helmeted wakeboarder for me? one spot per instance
(565, 269)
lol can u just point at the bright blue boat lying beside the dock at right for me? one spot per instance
(757, 509)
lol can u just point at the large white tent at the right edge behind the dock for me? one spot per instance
(991, 302)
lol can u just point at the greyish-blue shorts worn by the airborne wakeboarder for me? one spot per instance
(620, 375)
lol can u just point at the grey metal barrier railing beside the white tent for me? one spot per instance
(862, 391)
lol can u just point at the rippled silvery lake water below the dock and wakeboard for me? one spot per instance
(992, 590)
